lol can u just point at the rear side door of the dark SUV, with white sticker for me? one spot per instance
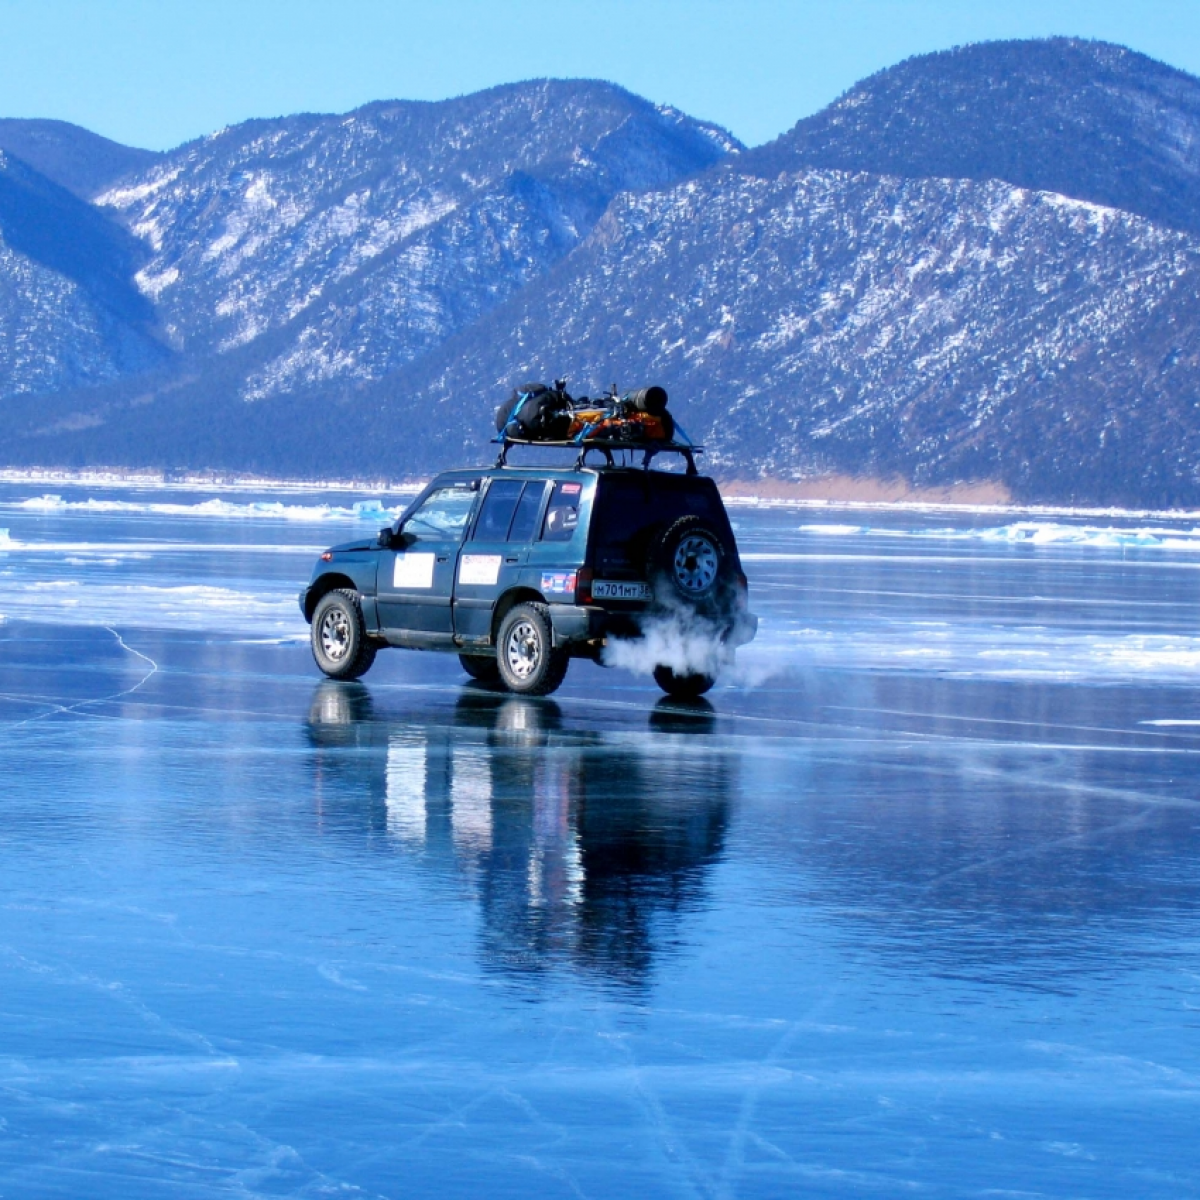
(496, 555)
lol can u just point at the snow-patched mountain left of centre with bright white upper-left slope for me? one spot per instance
(362, 241)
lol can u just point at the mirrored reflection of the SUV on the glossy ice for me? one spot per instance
(575, 851)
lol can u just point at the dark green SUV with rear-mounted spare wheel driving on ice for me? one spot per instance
(519, 571)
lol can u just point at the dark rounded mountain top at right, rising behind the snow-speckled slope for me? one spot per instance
(1087, 119)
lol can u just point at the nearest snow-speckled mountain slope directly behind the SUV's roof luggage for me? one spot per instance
(937, 331)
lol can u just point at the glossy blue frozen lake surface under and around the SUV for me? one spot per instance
(910, 909)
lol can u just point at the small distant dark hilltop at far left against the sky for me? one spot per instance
(76, 159)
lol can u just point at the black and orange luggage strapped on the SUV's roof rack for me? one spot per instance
(549, 417)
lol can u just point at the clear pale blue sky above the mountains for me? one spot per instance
(158, 73)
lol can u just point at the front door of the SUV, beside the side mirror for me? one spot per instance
(416, 581)
